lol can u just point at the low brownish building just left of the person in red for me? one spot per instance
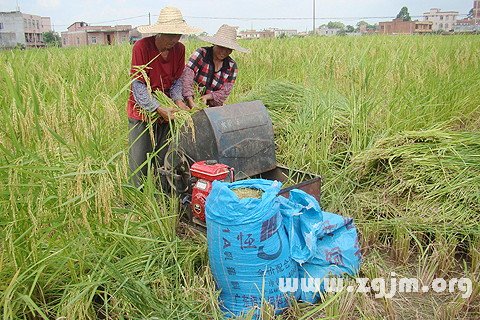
(81, 34)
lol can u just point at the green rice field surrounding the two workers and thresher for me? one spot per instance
(392, 124)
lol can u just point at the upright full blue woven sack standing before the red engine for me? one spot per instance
(248, 246)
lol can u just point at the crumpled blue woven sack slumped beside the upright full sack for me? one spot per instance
(323, 244)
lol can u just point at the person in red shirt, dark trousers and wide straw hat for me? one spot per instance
(162, 59)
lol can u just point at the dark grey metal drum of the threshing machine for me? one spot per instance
(238, 135)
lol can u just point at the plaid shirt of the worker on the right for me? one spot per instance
(201, 62)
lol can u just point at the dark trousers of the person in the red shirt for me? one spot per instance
(143, 142)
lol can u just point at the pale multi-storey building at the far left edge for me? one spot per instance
(17, 28)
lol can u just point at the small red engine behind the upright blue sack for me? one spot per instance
(206, 172)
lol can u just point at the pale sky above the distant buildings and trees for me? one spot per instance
(246, 14)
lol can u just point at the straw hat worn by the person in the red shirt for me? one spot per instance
(169, 21)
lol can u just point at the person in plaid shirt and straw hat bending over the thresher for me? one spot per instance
(212, 68)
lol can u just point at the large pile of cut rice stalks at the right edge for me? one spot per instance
(421, 180)
